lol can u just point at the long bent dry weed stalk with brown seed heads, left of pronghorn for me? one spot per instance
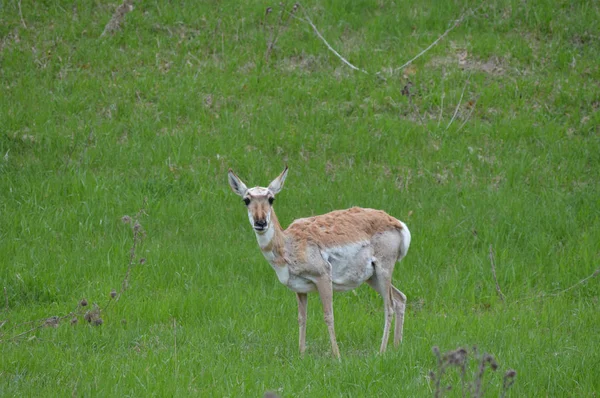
(92, 315)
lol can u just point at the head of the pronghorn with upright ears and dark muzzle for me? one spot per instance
(258, 200)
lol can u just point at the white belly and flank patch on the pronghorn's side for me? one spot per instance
(351, 265)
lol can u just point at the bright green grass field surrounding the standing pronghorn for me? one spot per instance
(494, 143)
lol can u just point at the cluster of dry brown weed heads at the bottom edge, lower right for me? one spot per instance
(459, 358)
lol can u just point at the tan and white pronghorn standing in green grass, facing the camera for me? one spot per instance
(336, 251)
